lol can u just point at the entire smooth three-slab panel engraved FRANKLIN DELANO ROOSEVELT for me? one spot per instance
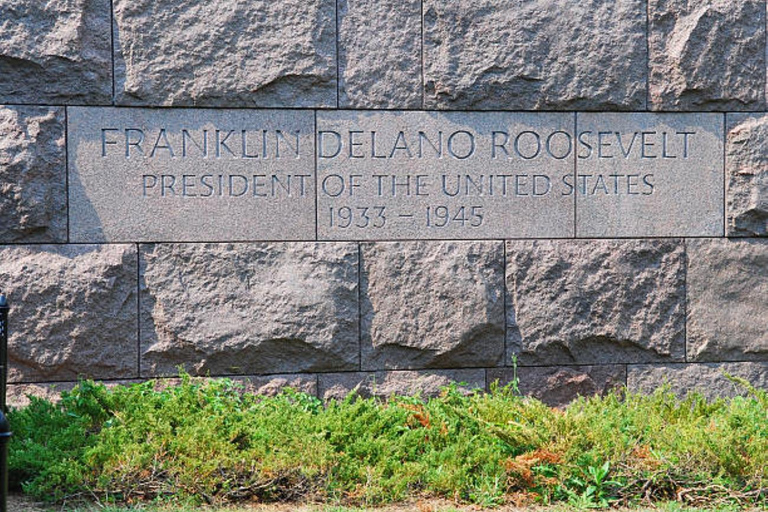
(209, 175)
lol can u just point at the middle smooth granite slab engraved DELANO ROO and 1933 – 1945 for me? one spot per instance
(430, 175)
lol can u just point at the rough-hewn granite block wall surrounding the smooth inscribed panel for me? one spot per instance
(575, 315)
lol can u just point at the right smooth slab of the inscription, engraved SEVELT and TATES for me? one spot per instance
(648, 175)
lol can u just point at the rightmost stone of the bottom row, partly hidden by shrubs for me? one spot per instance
(707, 379)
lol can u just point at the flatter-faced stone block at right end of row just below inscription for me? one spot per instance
(727, 299)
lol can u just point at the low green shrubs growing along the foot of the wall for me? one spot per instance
(207, 440)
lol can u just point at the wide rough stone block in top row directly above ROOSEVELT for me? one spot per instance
(545, 54)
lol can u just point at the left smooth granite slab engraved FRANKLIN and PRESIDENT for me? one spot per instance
(190, 175)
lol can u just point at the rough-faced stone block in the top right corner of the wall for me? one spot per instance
(707, 54)
